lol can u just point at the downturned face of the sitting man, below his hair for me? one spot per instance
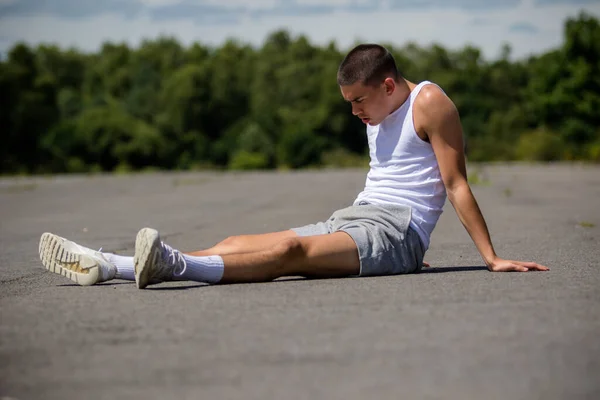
(372, 104)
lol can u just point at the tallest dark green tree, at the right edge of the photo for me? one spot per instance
(564, 90)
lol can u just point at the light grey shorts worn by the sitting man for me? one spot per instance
(387, 245)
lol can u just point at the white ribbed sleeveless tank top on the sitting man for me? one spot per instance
(404, 169)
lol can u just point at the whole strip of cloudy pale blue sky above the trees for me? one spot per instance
(528, 26)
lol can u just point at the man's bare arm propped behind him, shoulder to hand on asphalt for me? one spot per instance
(438, 117)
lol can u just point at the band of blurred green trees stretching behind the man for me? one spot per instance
(169, 107)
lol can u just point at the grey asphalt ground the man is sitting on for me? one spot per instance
(454, 331)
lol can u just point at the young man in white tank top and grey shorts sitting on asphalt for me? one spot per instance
(417, 159)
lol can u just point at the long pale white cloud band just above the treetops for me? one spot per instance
(452, 28)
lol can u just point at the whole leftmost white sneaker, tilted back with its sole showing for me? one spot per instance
(80, 264)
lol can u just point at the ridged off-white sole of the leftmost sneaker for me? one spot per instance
(77, 267)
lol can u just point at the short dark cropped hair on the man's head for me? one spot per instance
(369, 64)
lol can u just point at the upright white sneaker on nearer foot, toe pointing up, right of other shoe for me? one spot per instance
(154, 261)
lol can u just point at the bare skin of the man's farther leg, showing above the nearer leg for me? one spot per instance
(245, 244)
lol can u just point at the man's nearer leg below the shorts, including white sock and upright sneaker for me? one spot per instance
(320, 256)
